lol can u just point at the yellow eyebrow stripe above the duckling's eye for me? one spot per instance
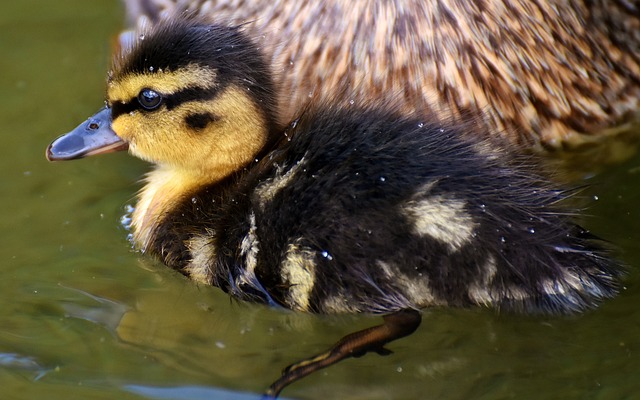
(126, 88)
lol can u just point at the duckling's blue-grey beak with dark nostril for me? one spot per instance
(93, 136)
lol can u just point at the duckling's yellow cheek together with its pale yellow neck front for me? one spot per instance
(188, 159)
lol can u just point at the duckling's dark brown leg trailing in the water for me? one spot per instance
(397, 325)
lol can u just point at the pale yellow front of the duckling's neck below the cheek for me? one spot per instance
(165, 187)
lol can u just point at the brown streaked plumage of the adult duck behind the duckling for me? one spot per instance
(559, 78)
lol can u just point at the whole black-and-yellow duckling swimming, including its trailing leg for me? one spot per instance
(345, 209)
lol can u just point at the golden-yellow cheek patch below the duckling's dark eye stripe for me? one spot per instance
(224, 146)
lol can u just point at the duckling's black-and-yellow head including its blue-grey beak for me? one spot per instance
(188, 95)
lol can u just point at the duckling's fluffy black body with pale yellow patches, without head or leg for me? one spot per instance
(360, 210)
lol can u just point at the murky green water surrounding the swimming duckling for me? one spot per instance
(84, 317)
